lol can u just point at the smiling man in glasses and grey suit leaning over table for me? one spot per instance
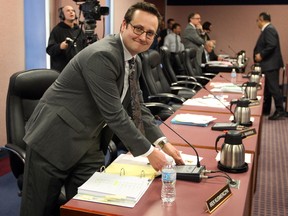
(65, 130)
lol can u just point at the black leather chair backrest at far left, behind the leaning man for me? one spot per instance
(24, 91)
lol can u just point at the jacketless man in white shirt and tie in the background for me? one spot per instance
(173, 40)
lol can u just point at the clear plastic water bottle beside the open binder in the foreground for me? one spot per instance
(168, 191)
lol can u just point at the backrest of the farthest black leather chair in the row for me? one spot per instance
(189, 60)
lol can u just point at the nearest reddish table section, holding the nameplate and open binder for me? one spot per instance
(190, 196)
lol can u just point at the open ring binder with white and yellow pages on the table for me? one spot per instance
(122, 183)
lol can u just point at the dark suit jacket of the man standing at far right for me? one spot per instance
(268, 45)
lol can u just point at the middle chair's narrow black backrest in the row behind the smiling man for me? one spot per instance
(166, 64)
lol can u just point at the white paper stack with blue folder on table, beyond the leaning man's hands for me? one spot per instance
(192, 119)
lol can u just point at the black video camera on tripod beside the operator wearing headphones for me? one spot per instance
(92, 11)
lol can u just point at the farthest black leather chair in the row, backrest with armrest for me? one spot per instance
(193, 68)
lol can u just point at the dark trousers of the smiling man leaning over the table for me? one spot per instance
(43, 181)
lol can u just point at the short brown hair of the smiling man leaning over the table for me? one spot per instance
(143, 6)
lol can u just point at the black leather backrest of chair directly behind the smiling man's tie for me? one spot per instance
(153, 79)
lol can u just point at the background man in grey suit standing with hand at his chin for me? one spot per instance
(193, 37)
